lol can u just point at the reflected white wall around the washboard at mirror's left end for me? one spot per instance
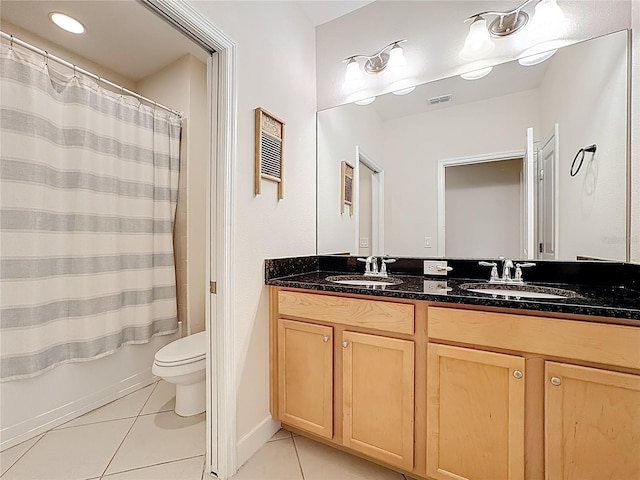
(339, 132)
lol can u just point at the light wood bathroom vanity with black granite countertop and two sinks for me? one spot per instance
(442, 383)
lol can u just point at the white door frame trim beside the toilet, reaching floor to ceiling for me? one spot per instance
(220, 367)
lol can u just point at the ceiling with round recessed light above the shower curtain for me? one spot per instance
(113, 26)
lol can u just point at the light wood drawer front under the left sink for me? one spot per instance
(376, 314)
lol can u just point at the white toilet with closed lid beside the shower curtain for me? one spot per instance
(183, 362)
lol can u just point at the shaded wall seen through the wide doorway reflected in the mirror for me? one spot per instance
(483, 202)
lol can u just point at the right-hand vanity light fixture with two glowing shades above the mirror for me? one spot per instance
(478, 44)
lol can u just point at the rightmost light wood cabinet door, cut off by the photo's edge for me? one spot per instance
(592, 423)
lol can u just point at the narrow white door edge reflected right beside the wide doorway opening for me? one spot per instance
(528, 197)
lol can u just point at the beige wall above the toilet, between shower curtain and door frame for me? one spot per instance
(182, 86)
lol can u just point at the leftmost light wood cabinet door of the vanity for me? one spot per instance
(305, 376)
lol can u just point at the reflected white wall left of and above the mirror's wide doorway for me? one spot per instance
(417, 143)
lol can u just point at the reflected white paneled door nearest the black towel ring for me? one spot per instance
(547, 197)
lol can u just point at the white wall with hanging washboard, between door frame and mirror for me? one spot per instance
(276, 71)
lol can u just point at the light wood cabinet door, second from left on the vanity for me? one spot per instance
(378, 389)
